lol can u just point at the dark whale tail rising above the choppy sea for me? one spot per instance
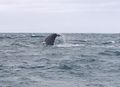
(51, 39)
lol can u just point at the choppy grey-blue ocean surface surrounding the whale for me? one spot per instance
(76, 60)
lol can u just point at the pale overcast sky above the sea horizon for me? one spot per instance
(60, 16)
